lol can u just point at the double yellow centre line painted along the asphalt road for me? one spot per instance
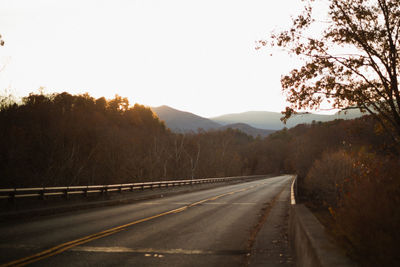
(65, 246)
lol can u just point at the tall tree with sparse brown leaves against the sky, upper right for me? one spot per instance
(352, 63)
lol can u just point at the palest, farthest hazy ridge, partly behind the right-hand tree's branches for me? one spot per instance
(271, 120)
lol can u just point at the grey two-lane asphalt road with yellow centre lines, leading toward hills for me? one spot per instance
(234, 225)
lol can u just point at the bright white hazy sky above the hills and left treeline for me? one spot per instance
(197, 56)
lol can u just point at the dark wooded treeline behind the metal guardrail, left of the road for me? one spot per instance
(63, 139)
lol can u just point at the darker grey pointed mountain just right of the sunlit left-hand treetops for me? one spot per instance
(180, 121)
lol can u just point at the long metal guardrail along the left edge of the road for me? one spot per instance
(66, 191)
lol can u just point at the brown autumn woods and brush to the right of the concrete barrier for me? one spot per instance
(349, 175)
